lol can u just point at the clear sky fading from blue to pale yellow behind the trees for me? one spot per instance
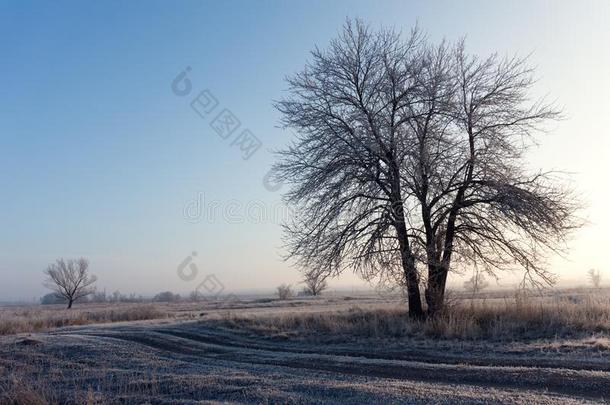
(98, 157)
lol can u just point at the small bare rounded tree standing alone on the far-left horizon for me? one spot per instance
(70, 279)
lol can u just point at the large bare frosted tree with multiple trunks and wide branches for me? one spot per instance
(409, 159)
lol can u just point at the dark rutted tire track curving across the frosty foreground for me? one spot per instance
(206, 343)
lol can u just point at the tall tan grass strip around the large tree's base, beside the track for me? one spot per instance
(515, 319)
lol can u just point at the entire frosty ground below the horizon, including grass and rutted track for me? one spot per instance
(497, 348)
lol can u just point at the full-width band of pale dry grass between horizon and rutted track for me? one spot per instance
(499, 315)
